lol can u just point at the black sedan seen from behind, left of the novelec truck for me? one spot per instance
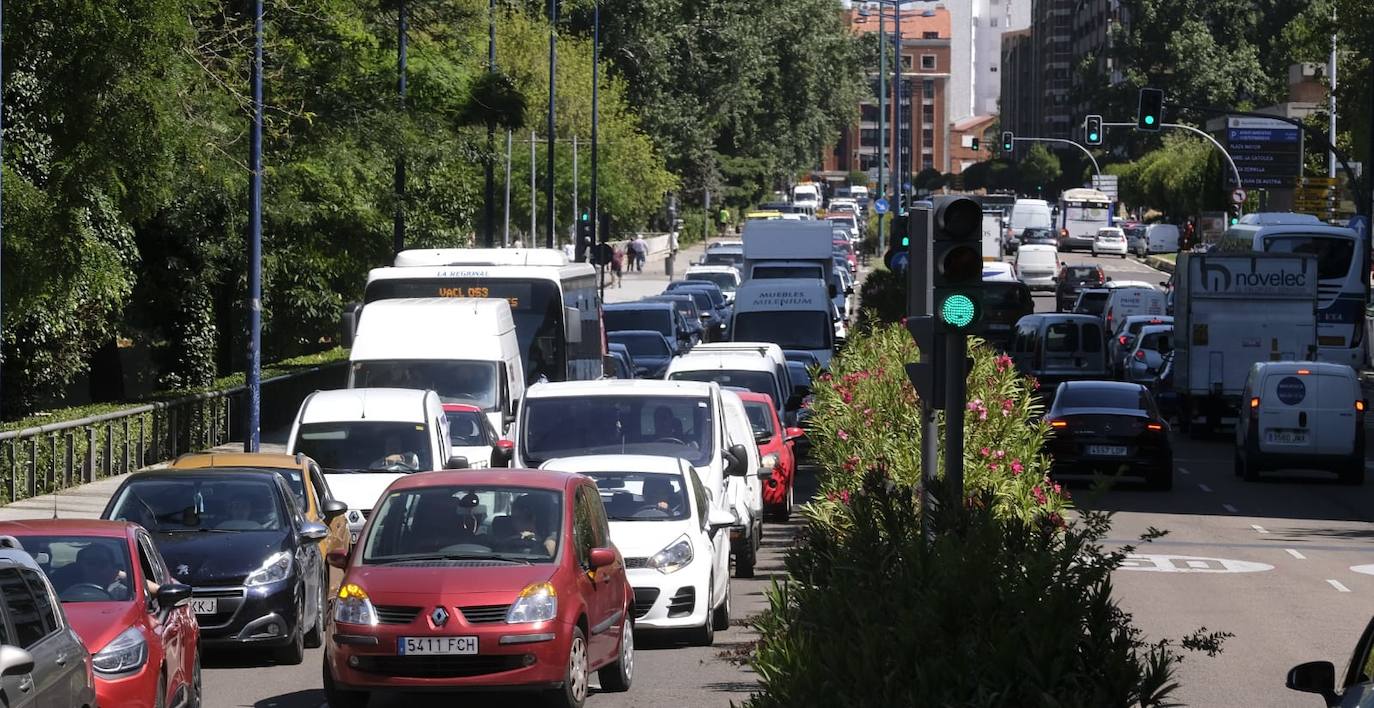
(1110, 428)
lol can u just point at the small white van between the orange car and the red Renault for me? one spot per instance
(365, 439)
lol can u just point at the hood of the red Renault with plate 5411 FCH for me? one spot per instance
(447, 581)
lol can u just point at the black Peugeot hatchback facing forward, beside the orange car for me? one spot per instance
(236, 537)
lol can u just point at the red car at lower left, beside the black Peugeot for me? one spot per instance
(124, 604)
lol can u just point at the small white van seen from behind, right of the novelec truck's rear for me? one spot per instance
(1302, 416)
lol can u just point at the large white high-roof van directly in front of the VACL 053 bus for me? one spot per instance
(464, 349)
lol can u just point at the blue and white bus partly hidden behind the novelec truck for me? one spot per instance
(1342, 287)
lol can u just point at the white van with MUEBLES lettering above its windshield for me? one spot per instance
(793, 314)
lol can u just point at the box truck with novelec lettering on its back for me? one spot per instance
(1235, 310)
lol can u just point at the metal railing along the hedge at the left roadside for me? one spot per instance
(49, 458)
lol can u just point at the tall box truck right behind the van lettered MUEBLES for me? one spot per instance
(791, 251)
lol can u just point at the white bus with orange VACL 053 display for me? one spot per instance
(556, 303)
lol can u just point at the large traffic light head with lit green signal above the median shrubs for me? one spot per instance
(957, 274)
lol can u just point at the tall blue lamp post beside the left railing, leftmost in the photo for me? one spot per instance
(252, 377)
